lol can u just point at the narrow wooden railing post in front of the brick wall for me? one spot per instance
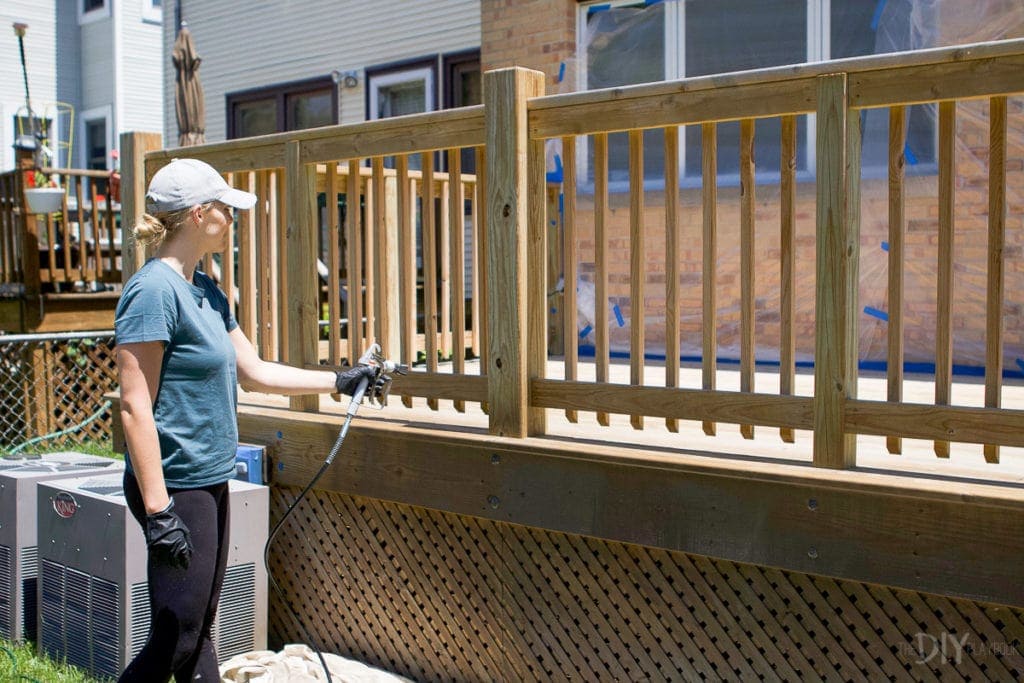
(836, 289)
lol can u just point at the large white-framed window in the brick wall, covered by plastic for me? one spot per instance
(628, 42)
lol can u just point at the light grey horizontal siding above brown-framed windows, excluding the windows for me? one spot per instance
(282, 45)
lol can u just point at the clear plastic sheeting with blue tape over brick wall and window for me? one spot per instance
(624, 44)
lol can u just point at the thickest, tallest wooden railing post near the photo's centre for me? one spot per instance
(505, 95)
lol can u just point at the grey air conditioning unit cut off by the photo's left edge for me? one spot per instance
(19, 564)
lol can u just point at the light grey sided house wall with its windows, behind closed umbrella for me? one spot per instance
(279, 66)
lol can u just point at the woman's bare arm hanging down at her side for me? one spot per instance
(139, 368)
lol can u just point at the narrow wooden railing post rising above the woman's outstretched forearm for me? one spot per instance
(301, 270)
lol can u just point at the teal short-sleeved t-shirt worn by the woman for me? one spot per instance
(196, 404)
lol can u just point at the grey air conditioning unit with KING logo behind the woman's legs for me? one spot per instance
(94, 602)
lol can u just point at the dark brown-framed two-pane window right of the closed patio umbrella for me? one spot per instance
(287, 107)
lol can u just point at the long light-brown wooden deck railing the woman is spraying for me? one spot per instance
(372, 254)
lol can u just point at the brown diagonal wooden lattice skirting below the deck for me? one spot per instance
(438, 597)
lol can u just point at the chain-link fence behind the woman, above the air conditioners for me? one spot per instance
(53, 392)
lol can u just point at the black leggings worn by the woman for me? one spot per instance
(184, 603)
